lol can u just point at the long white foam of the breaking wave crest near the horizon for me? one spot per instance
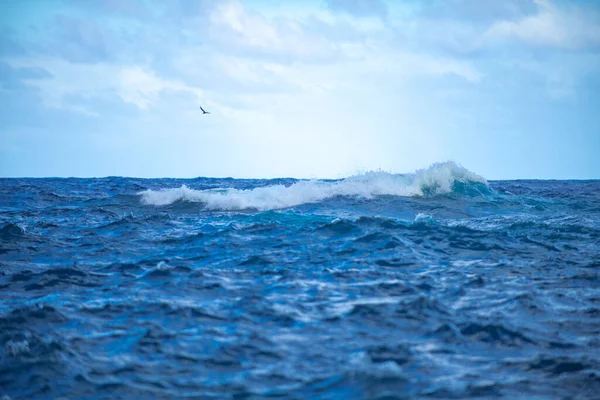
(437, 179)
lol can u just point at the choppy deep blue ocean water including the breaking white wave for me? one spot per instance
(436, 284)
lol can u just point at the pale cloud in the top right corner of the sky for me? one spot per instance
(480, 28)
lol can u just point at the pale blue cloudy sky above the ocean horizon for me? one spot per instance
(308, 89)
